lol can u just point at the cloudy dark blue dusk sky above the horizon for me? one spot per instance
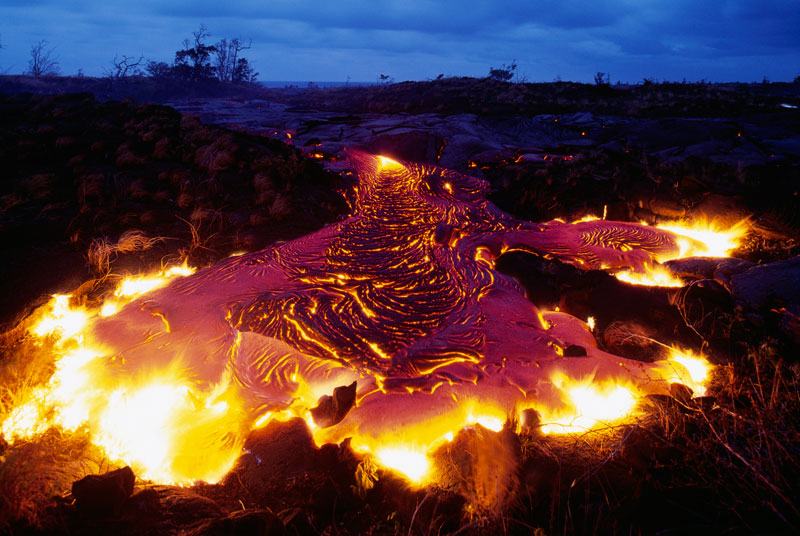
(719, 40)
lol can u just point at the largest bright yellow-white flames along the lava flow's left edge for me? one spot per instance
(158, 425)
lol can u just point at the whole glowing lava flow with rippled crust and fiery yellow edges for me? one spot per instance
(402, 297)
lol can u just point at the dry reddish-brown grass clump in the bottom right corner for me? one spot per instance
(746, 445)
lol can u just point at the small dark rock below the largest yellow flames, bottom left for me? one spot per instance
(104, 494)
